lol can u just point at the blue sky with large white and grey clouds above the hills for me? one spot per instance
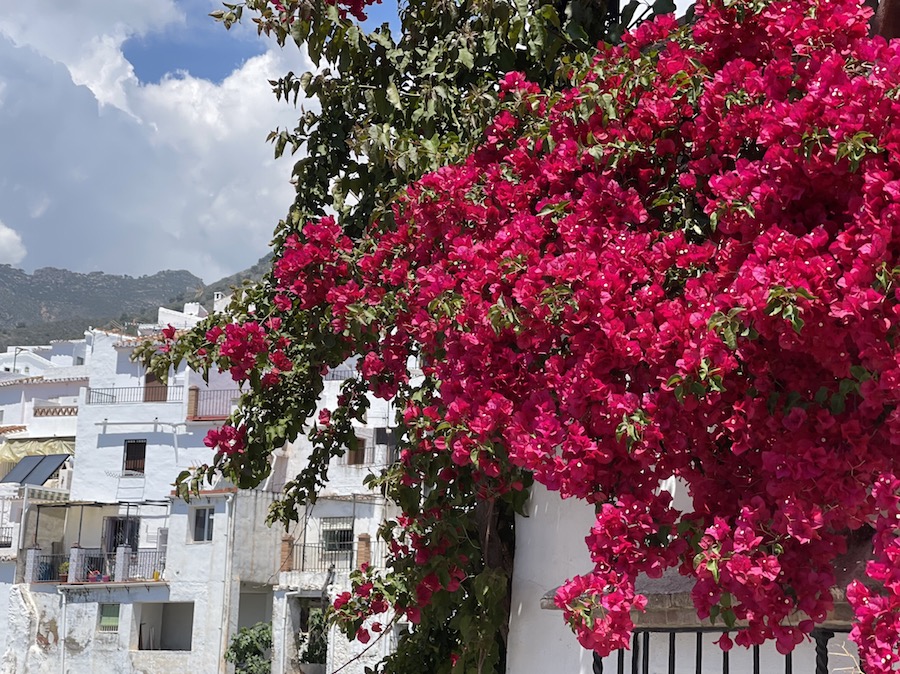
(134, 136)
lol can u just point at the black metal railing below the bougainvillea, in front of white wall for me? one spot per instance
(660, 647)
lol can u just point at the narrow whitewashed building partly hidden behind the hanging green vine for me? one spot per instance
(334, 536)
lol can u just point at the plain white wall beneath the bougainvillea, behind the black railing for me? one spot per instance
(550, 549)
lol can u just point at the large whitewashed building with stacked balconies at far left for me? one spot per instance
(117, 575)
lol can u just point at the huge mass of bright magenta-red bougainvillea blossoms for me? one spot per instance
(683, 265)
